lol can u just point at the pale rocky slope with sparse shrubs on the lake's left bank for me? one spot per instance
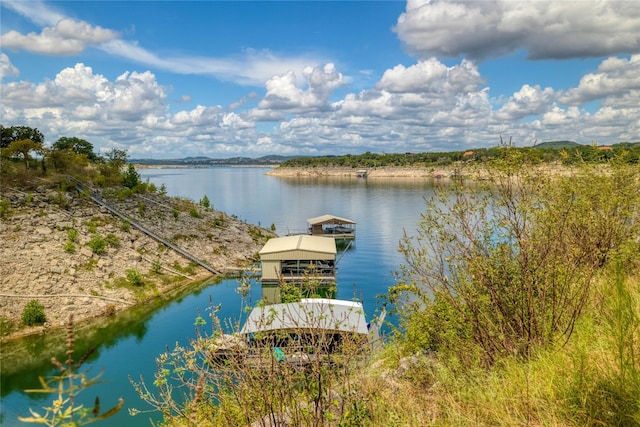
(49, 242)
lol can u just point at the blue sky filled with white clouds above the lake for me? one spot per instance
(176, 79)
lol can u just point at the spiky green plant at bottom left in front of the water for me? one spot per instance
(65, 409)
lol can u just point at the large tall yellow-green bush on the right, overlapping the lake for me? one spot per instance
(515, 261)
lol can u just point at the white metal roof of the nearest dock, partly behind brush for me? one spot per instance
(308, 313)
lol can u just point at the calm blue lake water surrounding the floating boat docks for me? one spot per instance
(127, 346)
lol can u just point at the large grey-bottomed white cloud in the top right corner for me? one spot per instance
(545, 29)
